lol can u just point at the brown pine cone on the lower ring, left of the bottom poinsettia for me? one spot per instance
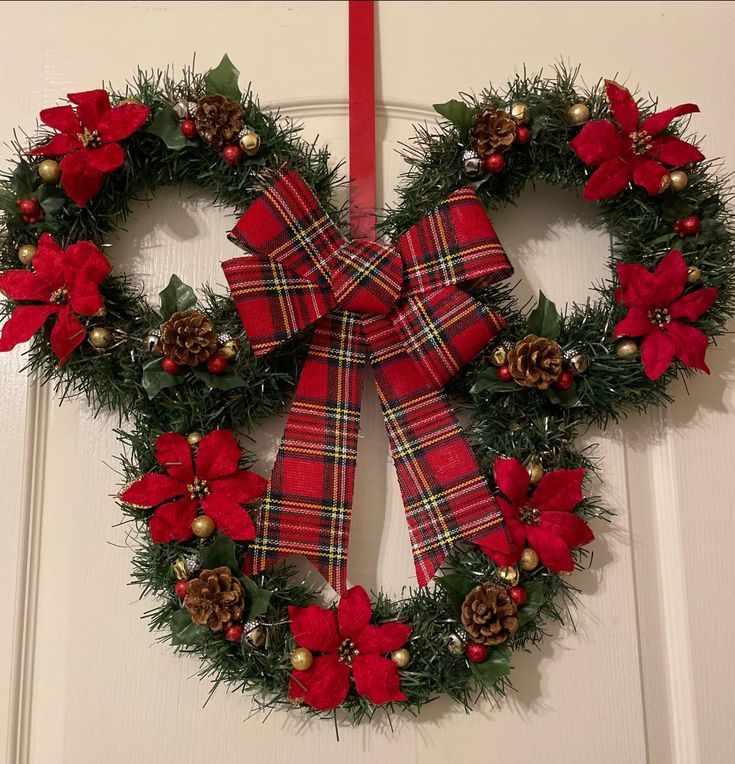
(215, 599)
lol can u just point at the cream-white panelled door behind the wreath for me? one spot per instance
(648, 674)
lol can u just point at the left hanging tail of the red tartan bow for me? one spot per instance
(306, 509)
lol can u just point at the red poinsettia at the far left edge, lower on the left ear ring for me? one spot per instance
(64, 283)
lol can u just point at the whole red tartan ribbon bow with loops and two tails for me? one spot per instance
(401, 306)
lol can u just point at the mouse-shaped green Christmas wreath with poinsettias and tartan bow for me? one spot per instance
(497, 509)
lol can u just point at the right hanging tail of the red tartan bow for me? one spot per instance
(446, 498)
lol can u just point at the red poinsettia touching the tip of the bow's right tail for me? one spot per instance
(544, 519)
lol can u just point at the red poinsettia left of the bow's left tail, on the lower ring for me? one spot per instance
(217, 485)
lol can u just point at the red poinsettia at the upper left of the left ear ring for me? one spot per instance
(89, 140)
